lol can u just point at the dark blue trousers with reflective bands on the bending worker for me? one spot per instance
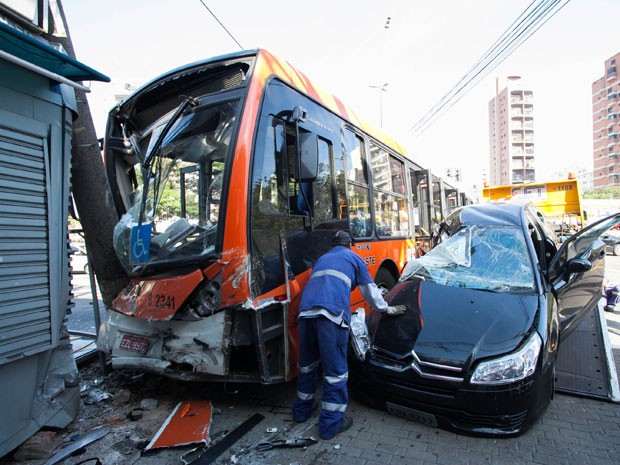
(322, 342)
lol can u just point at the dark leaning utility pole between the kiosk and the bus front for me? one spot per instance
(92, 193)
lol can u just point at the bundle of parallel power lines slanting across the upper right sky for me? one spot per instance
(528, 22)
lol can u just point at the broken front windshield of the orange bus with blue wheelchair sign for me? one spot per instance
(181, 187)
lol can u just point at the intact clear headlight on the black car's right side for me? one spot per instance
(512, 367)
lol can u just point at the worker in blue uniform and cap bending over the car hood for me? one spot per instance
(324, 317)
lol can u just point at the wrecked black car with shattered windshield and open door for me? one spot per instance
(487, 308)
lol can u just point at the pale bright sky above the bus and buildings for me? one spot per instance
(344, 46)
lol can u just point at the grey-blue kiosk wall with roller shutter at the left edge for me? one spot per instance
(39, 380)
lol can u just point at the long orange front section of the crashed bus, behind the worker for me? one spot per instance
(230, 177)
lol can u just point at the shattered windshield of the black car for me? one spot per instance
(490, 258)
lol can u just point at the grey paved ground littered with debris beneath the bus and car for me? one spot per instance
(573, 430)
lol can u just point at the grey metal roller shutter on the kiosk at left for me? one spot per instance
(25, 317)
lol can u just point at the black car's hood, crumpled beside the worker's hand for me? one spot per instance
(451, 325)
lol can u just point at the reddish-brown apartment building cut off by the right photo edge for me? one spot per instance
(606, 126)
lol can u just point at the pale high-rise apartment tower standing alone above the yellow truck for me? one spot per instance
(511, 133)
